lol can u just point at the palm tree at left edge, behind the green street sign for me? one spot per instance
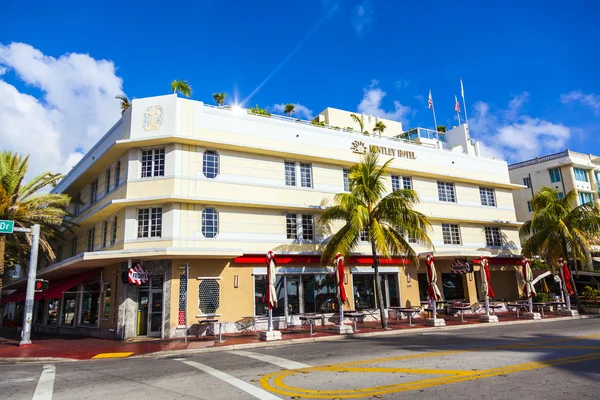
(20, 202)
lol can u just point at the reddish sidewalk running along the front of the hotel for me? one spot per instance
(67, 348)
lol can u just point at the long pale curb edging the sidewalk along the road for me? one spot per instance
(397, 332)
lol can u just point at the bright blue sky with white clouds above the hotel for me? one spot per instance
(529, 67)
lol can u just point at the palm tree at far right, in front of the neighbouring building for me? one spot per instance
(558, 228)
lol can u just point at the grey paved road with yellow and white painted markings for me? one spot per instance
(553, 360)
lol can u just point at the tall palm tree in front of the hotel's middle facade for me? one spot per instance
(386, 218)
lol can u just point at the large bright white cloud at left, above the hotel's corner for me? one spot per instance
(76, 106)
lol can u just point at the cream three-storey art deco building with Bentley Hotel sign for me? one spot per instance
(178, 183)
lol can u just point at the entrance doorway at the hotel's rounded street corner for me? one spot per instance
(150, 308)
